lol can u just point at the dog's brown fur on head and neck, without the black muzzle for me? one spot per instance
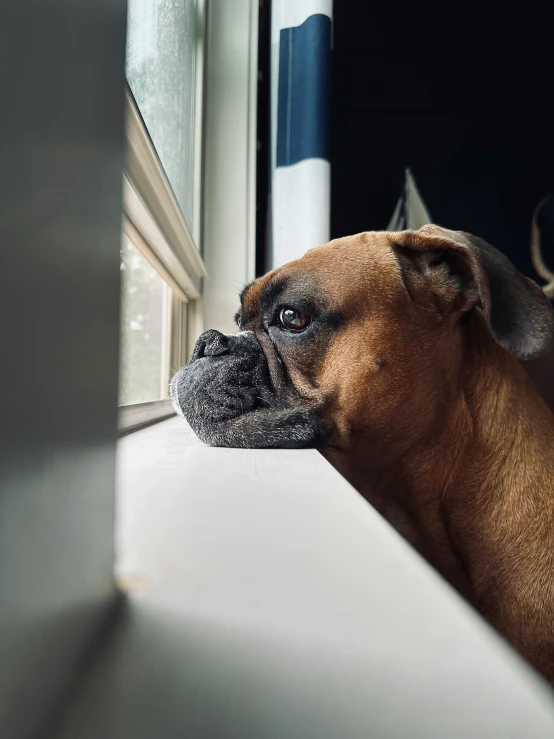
(438, 427)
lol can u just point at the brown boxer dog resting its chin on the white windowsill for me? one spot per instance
(396, 354)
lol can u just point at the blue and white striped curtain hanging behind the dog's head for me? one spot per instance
(301, 32)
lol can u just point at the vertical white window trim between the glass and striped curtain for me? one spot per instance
(230, 137)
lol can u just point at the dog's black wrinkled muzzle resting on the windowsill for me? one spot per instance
(227, 396)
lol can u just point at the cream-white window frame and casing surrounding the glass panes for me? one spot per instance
(224, 197)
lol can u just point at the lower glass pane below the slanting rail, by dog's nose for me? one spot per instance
(144, 329)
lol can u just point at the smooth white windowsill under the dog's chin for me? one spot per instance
(269, 599)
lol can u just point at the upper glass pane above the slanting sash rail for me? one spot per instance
(161, 53)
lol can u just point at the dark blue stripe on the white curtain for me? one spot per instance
(304, 91)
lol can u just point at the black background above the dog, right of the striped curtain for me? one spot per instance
(461, 96)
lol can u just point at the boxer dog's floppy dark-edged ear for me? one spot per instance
(452, 271)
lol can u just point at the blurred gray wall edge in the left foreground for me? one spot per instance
(61, 155)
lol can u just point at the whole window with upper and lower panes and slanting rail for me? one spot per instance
(161, 265)
